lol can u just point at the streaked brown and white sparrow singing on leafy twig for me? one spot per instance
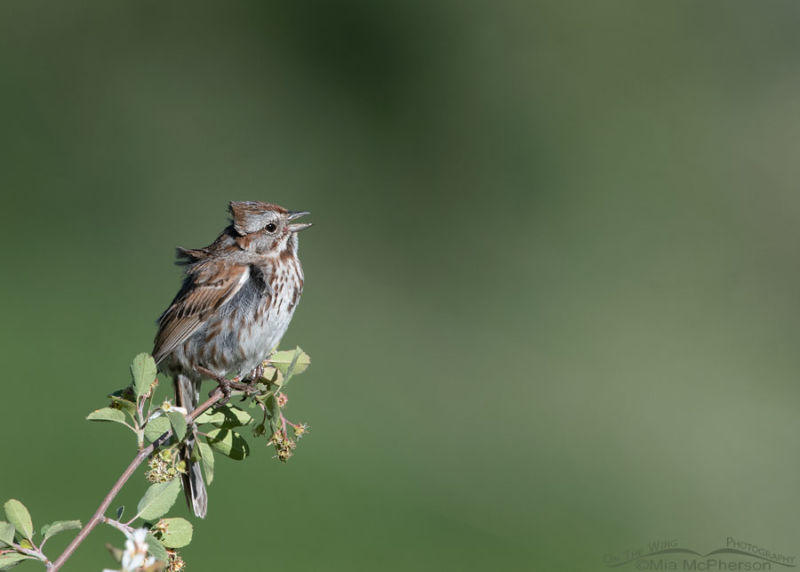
(235, 305)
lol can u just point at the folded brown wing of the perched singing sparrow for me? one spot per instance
(210, 285)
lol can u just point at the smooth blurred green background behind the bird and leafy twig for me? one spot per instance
(551, 290)
